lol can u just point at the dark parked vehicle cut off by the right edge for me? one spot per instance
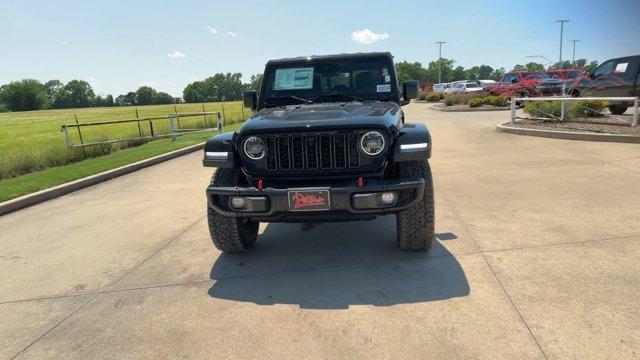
(618, 77)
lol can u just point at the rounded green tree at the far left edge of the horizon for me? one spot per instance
(24, 95)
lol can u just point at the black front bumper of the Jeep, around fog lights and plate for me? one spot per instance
(341, 200)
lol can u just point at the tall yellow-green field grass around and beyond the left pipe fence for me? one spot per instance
(32, 140)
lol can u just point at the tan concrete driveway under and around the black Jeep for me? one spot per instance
(537, 257)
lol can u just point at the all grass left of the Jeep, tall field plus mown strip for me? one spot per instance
(34, 156)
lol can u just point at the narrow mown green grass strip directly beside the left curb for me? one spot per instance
(14, 187)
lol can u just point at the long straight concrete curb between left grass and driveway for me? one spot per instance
(63, 189)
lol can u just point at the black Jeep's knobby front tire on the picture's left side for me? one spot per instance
(230, 234)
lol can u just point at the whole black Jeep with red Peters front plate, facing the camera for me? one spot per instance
(328, 142)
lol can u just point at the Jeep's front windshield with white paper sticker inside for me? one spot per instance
(329, 80)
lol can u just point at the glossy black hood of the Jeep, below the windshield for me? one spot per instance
(323, 116)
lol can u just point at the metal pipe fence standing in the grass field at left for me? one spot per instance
(174, 125)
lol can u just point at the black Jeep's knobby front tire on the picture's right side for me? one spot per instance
(415, 226)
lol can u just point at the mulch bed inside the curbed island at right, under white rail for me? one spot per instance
(604, 125)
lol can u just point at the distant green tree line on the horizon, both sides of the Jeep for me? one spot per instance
(32, 94)
